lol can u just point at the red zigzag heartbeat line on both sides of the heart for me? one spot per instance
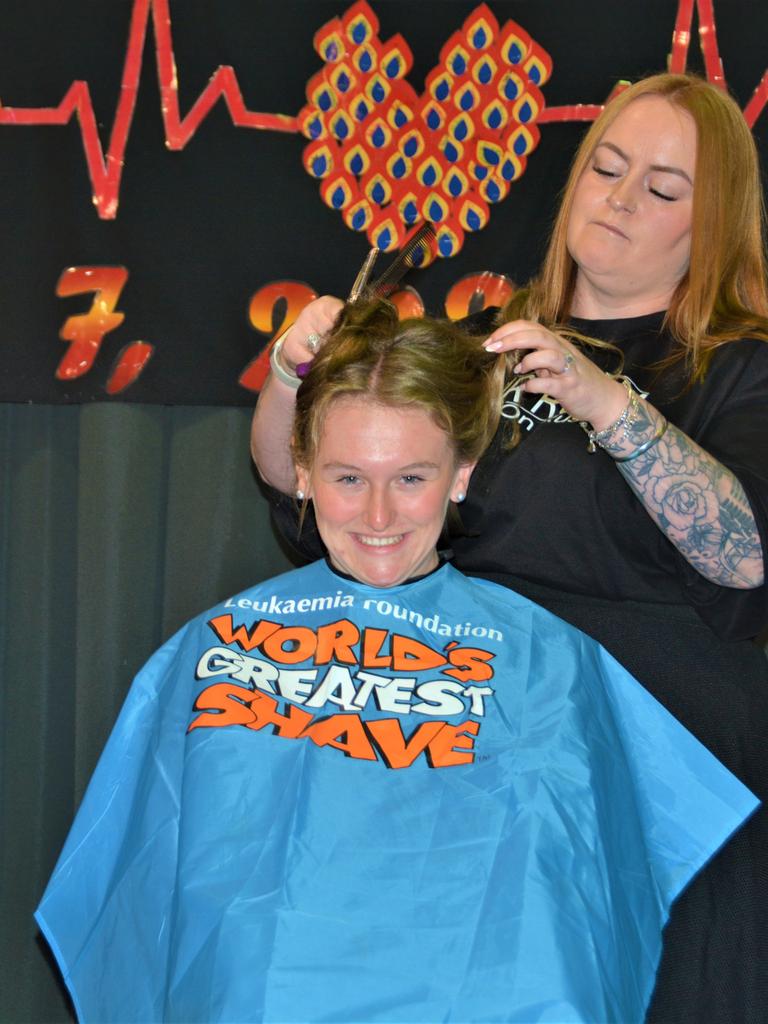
(106, 172)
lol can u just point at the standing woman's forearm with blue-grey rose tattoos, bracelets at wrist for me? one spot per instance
(697, 502)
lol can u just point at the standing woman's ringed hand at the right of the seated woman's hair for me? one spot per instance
(563, 372)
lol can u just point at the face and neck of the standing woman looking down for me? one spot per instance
(630, 225)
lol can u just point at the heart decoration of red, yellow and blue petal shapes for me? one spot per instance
(389, 159)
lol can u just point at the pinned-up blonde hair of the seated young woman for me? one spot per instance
(422, 364)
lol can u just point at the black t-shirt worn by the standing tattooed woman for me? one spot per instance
(552, 514)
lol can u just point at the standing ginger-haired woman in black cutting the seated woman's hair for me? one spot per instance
(632, 501)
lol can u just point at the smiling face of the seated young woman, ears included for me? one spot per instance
(381, 483)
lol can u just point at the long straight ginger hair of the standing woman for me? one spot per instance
(723, 296)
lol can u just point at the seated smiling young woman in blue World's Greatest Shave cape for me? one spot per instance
(373, 789)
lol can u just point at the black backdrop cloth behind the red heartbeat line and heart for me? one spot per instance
(201, 230)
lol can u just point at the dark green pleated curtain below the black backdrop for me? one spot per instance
(118, 523)
